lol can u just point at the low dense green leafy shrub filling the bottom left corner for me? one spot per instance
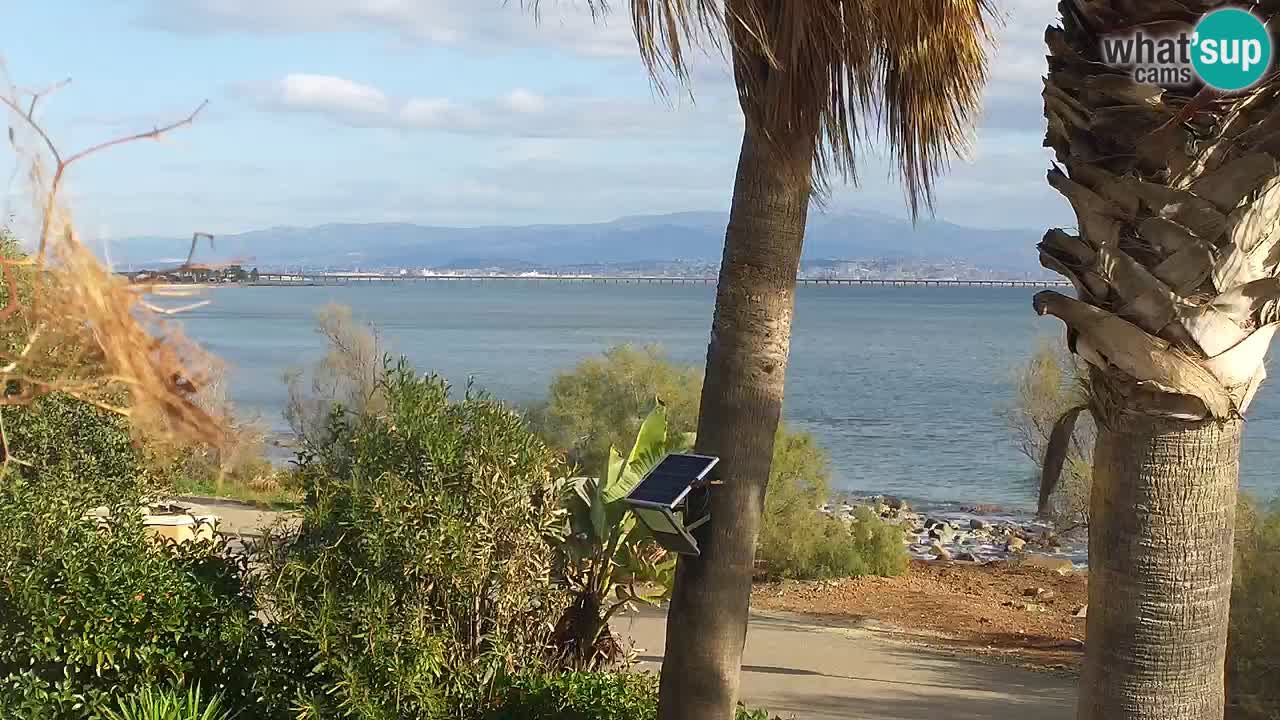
(89, 614)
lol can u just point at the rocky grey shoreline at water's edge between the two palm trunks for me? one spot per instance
(979, 534)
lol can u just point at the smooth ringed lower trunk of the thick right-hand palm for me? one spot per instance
(1162, 531)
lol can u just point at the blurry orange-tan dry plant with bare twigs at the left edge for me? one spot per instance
(75, 327)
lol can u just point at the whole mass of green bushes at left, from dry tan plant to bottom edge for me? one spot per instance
(93, 612)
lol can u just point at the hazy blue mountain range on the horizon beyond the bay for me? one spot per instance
(648, 239)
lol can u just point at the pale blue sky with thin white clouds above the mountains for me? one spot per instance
(438, 112)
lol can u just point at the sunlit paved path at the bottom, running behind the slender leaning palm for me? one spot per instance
(816, 673)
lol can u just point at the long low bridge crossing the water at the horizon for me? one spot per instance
(350, 279)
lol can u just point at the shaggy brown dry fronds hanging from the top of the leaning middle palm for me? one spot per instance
(811, 71)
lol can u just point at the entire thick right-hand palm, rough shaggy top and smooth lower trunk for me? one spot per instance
(1177, 270)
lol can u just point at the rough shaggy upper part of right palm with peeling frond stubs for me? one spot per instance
(1177, 192)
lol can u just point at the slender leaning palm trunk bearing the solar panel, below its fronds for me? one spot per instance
(742, 405)
